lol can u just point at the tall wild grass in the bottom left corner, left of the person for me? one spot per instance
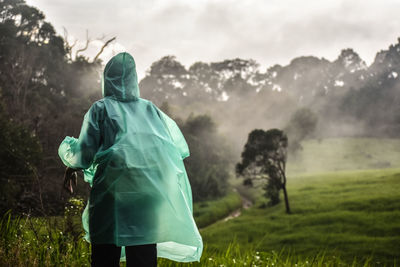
(26, 241)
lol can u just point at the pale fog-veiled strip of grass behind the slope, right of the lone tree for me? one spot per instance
(337, 154)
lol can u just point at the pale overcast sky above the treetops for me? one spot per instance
(269, 31)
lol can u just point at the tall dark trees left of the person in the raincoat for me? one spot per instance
(44, 95)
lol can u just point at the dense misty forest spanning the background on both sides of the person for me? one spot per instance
(46, 86)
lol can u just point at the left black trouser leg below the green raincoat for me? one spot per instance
(105, 255)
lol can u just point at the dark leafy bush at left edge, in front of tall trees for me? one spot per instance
(20, 155)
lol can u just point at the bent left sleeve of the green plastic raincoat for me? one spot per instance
(79, 153)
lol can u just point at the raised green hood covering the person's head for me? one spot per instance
(120, 78)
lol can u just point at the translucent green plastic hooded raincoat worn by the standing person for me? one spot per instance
(132, 156)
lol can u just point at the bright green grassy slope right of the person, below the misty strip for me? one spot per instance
(348, 214)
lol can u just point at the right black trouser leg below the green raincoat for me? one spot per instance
(141, 256)
